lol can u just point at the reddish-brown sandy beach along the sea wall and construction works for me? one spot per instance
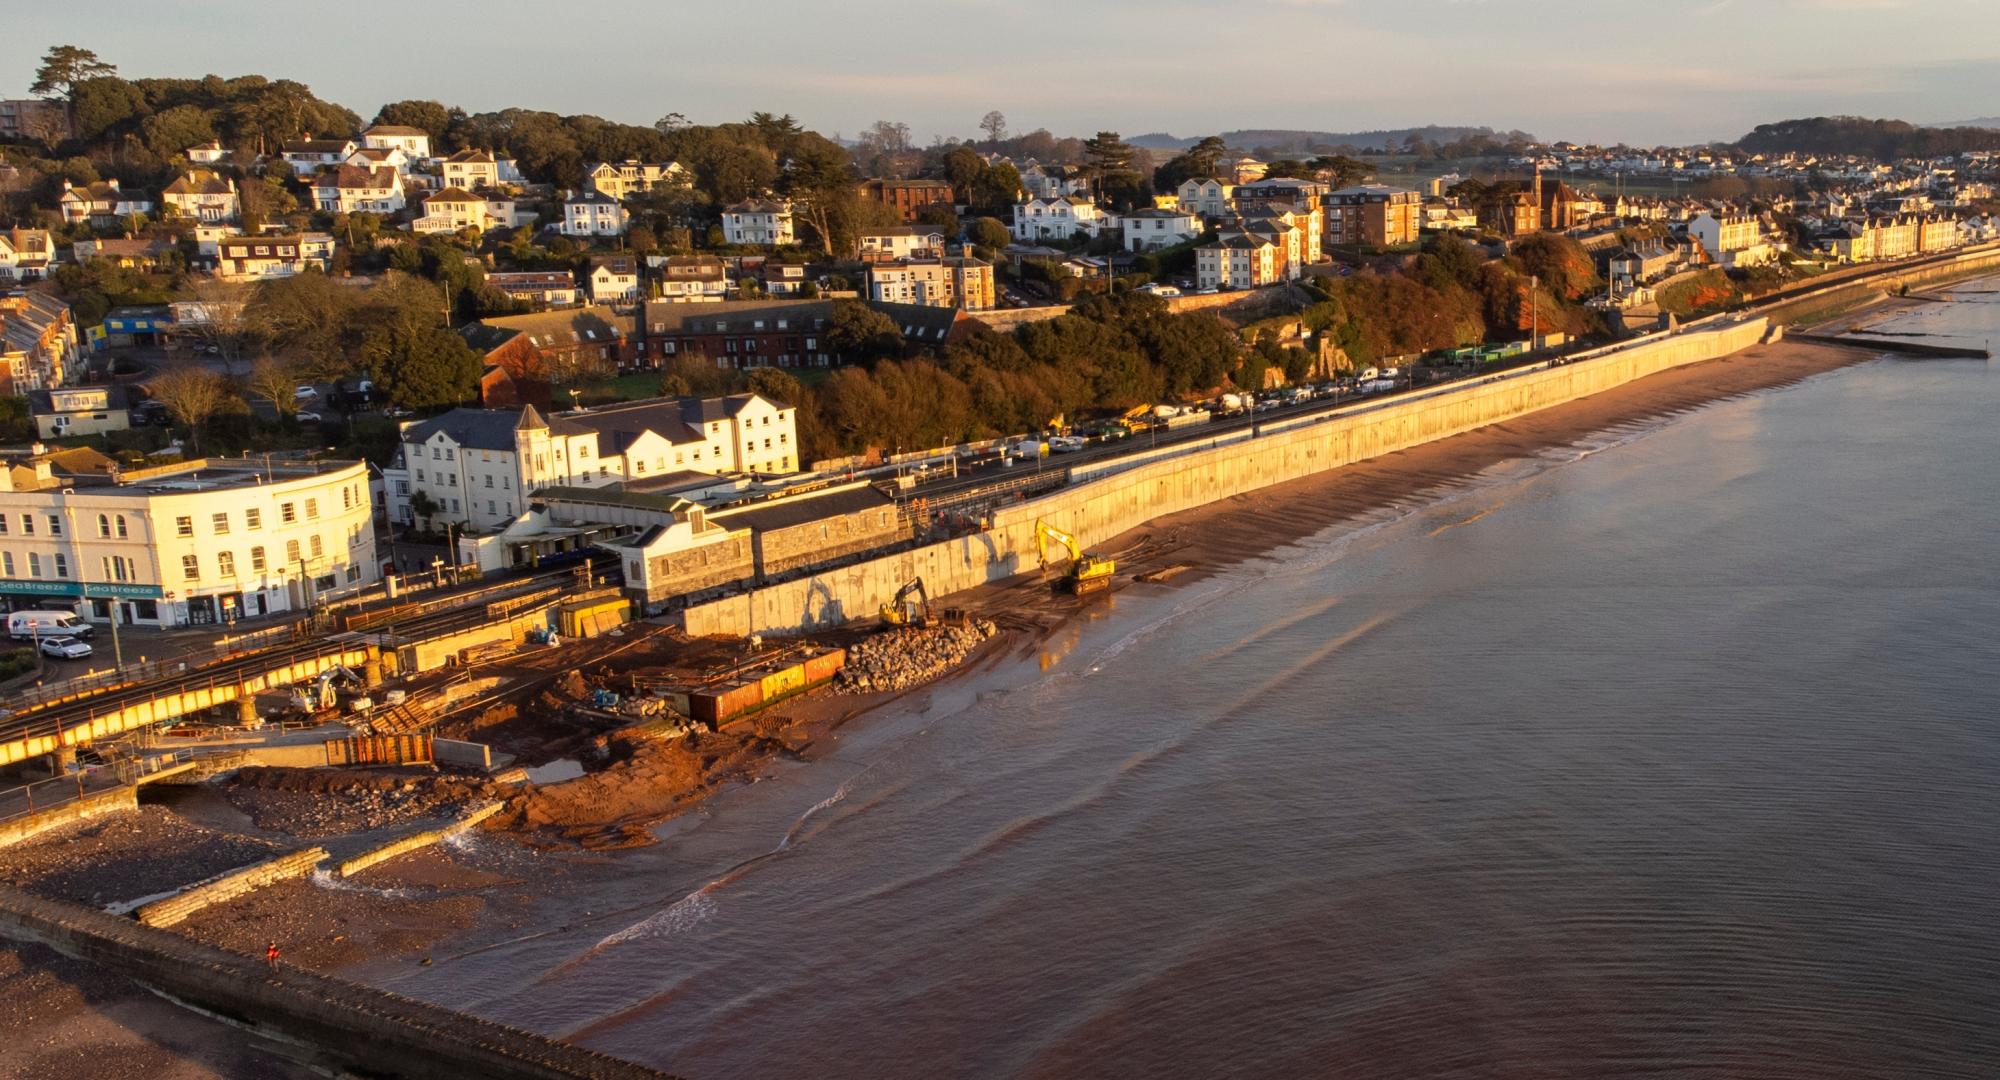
(415, 905)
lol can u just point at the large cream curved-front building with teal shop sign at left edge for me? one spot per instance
(195, 543)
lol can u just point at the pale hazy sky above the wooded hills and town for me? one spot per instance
(1635, 71)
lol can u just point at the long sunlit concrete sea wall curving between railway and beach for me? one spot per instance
(1183, 479)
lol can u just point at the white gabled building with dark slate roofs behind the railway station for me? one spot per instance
(477, 467)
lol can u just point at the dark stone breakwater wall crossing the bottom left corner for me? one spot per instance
(367, 1031)
